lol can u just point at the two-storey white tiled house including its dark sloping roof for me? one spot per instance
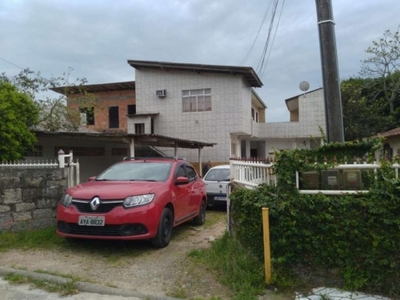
(219, 104)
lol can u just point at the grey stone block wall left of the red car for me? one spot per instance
(29, 197)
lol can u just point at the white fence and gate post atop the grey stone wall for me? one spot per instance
(64, 161)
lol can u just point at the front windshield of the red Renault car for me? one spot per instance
(137, 171)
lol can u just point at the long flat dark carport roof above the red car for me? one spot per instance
(140, 139)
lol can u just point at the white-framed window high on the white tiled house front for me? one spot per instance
(196, 100)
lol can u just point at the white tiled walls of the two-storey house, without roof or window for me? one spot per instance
(229, 123)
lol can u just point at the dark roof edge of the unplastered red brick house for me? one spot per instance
(91, 88)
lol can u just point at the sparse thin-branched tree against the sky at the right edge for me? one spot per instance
(383, 67)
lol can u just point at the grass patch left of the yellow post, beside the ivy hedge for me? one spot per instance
(241, 272)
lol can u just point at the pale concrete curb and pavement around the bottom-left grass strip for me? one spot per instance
(87, 291)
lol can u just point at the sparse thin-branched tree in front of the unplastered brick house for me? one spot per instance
(54, 114)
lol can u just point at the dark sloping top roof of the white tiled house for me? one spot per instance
(247, 72)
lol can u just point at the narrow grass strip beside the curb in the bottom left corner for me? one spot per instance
(62, 289)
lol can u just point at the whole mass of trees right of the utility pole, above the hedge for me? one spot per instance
(371, 102)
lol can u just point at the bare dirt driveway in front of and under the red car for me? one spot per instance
(159, 272)
